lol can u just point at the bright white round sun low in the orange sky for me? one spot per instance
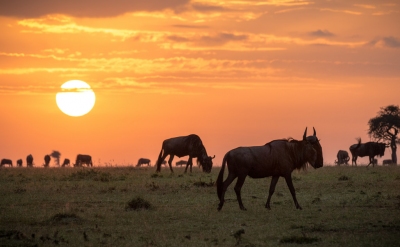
(76, 98)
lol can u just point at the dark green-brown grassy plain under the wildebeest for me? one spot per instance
(342, 206)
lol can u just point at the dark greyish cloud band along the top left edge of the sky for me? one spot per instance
(83, 8)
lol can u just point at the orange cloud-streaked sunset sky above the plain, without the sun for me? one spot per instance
(237, 73)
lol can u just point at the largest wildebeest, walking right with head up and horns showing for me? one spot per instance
(277, 158)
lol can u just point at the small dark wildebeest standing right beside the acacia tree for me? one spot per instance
(370, 149)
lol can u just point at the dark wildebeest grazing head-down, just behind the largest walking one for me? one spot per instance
(182, 146)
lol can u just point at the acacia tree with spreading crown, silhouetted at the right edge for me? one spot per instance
(385, 126)
